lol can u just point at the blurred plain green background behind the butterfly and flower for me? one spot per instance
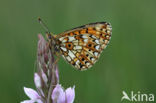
(128, 63)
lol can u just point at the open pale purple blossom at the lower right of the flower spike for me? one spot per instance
(60, 95)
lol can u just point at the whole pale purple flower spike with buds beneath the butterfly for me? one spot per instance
(46, 79)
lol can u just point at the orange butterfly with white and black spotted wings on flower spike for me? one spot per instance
(82, 46)
